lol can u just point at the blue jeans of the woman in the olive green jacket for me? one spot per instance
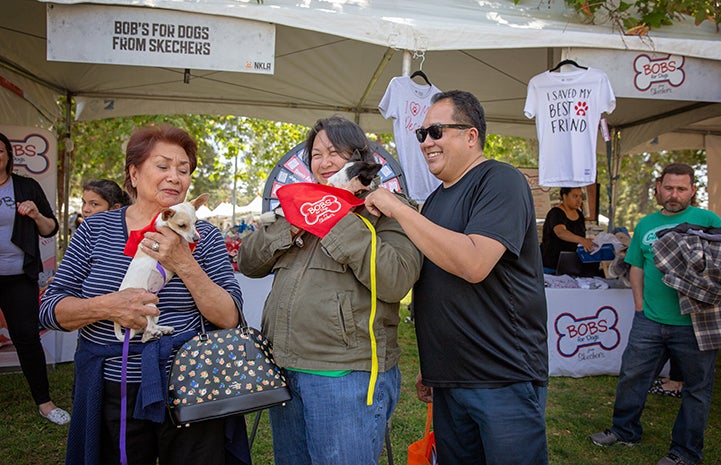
(327, 422)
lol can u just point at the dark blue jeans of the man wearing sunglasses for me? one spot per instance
(498, 426)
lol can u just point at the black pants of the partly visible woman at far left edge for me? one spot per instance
(19, 303)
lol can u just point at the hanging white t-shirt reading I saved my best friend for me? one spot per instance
(568, 107)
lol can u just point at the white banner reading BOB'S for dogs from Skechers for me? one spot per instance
(155, 37)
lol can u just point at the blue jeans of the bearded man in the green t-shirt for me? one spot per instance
(650, 344)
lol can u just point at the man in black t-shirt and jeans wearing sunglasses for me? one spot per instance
(480, 304)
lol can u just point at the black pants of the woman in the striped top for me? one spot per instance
(146, 442)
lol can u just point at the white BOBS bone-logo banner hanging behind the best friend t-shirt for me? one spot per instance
(650, 75)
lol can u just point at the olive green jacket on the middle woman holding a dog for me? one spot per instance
(319, 306)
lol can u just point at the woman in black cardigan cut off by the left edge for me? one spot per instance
(25, 215)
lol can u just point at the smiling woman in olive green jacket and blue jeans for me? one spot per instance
(317, 316)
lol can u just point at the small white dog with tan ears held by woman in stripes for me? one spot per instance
(147, 273)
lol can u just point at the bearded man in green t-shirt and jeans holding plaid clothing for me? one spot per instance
(660, 329)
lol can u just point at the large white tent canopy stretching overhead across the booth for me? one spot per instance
(339, 56)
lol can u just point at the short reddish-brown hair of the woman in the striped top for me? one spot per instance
(144, 139)
